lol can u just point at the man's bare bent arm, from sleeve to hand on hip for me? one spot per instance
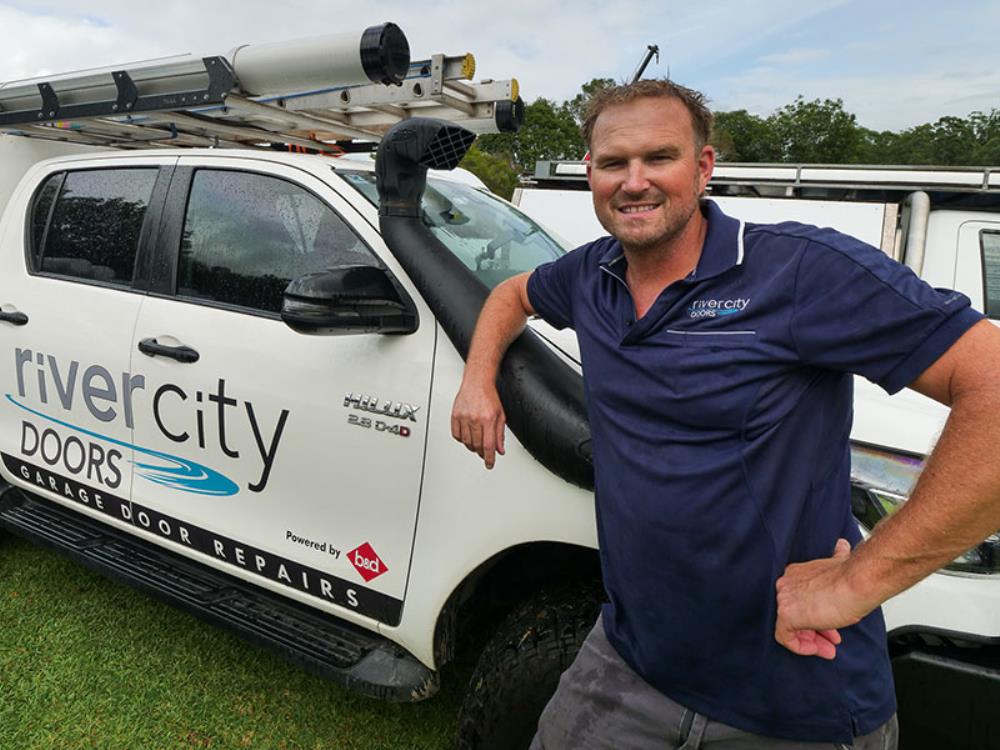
(955, 505)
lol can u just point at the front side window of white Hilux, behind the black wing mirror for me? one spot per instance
(247, 235)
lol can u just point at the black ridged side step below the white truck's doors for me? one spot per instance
(342, 652)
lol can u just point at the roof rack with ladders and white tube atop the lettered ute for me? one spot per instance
(308, 94)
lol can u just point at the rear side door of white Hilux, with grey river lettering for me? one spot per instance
(70, 296)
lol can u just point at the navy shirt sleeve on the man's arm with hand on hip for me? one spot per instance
(859, 311)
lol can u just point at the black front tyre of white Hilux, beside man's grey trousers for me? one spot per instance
(519, 668)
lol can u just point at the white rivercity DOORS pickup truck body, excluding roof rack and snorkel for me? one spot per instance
(176, 413)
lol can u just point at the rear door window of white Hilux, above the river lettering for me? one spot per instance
(96, 223)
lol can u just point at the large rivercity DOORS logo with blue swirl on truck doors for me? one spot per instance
(58, 442)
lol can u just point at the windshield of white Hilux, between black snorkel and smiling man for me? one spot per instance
(492, 238)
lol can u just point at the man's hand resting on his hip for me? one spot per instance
(813, 601)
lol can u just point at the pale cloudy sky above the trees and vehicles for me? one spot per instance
(894, 64)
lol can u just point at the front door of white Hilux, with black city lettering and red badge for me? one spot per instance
(298, 457)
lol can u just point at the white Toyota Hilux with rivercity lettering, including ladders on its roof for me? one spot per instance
(229, 373)
